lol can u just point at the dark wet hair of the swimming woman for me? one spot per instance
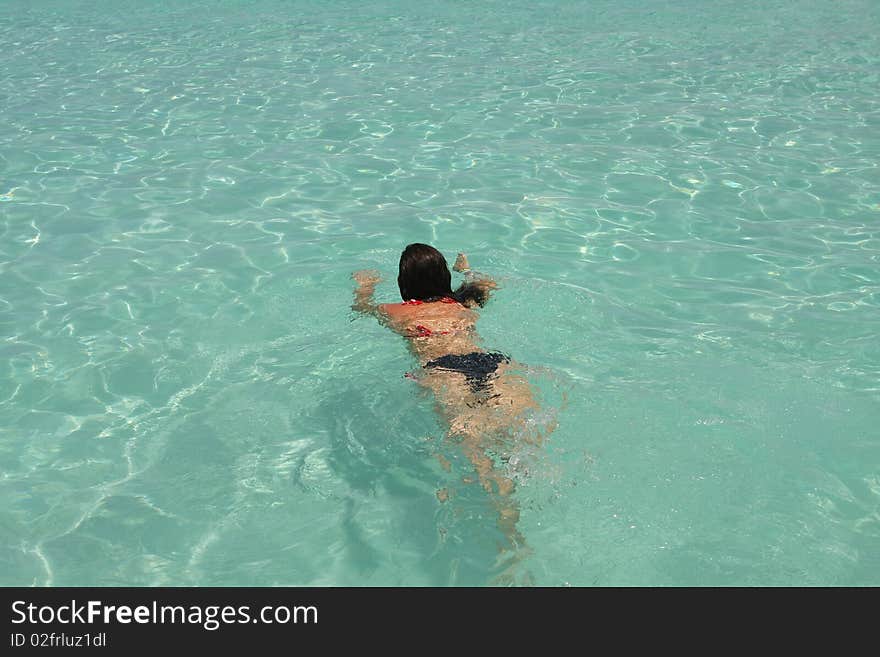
(424, 276)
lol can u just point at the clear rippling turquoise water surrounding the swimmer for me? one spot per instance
(681, 200)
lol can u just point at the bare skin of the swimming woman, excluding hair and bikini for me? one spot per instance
(482, 422)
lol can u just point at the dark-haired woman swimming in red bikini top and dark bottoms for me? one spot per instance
(479, 394)
